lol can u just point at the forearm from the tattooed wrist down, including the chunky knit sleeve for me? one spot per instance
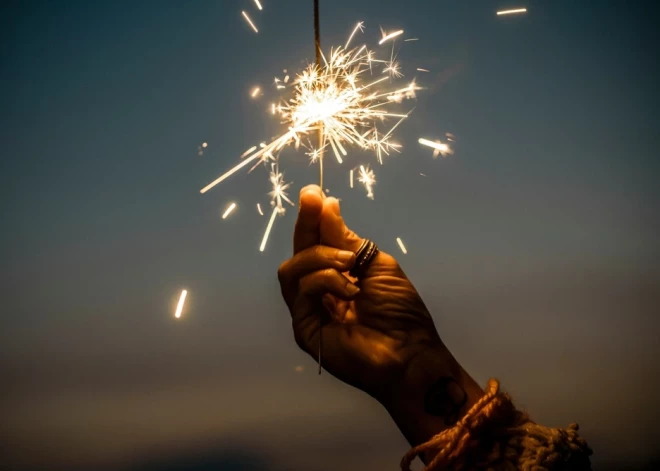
(492, 434)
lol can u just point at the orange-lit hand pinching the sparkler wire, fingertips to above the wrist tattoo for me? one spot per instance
(373, 328)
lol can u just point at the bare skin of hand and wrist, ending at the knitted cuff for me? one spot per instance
(378, 335)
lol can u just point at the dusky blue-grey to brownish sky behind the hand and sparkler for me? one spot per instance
(534, 245)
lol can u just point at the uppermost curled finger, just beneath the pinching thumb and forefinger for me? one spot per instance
(312, 259)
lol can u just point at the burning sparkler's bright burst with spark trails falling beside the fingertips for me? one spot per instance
(337, 97)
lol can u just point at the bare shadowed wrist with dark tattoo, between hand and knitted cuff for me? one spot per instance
(435, 393)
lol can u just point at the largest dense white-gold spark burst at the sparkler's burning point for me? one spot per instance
(339, 98)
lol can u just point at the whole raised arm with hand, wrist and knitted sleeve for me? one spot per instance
(378, 336)
